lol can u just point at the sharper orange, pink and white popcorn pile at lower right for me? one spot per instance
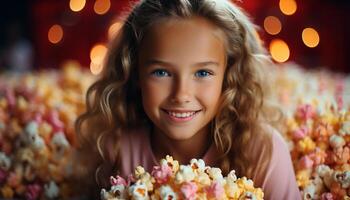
(320, 150)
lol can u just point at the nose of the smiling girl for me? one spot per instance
(181, 91)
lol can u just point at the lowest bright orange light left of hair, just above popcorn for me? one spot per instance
(97, 55)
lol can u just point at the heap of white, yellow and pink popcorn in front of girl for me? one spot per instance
(173, 181)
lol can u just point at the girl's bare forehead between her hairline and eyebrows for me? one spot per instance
(187, 40)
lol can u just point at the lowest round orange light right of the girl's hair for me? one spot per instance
(279, 50)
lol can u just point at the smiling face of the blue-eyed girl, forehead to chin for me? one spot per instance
(181, 68)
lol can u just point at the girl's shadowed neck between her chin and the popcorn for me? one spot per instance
(181, 150)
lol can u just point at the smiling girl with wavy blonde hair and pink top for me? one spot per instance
(183, 78)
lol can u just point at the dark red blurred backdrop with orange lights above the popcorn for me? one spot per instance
(40, 34)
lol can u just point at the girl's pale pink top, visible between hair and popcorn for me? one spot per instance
(277, 183)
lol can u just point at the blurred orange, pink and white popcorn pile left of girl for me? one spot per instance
(37, 114)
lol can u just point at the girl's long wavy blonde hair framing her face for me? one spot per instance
(114, 102)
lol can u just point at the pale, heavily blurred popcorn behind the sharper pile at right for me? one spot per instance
(293, 85)
